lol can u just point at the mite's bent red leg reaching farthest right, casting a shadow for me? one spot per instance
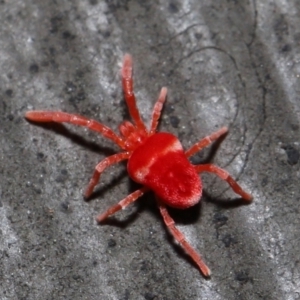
(225, 176)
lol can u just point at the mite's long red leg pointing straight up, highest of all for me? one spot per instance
(127, 83)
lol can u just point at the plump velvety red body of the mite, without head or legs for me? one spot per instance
(161, 164)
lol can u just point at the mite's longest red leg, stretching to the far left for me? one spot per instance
(61, 117)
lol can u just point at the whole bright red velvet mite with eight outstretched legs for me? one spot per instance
(157, 161)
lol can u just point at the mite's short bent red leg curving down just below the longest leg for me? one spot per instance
(108, 161)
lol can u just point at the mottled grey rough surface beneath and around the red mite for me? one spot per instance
(225, 63)
